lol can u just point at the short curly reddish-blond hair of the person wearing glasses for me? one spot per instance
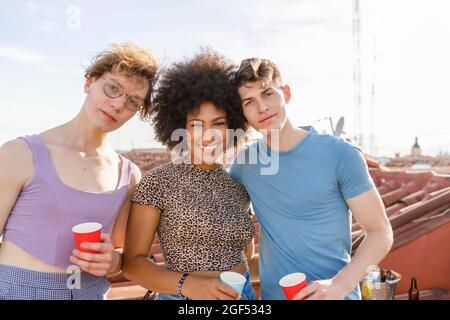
(129, 60)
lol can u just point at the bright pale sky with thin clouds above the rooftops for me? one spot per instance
(46, 45)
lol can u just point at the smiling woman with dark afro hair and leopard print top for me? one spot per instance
(201, 215)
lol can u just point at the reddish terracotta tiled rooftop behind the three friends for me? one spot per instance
(418, 206)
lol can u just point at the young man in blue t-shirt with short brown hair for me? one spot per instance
(302, 185)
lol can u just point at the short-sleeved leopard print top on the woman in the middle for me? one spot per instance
(205, 216)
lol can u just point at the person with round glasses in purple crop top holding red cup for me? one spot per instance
(70, 174)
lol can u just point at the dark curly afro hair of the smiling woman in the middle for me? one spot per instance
(184, 86)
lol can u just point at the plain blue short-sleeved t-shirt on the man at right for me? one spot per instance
(300, 203)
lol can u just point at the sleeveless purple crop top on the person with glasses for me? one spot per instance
(46, 209)
